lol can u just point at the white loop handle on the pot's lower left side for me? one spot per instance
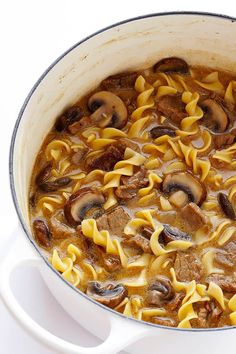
(120, 336)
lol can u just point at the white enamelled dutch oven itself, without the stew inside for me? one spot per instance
(205, 39)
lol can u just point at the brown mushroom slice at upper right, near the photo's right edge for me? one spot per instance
(215, 118)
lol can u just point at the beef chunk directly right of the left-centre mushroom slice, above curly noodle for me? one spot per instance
(114, 221)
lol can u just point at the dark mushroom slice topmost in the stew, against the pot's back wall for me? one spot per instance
(171, 64)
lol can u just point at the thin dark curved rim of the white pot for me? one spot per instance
(11, 156)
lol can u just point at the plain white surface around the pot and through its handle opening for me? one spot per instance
(33, 34)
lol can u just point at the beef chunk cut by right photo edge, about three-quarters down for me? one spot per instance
(227, 255)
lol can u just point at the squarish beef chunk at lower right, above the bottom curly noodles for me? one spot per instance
(187, 267)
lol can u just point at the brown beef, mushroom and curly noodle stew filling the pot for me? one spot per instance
(110, 203)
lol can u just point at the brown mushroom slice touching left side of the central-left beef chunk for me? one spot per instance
(85, 202)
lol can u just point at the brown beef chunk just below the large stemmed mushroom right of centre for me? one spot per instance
(193, 217)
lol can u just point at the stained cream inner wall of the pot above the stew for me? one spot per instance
(199, 39)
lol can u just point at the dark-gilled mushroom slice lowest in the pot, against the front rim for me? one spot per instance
(109, 295)
